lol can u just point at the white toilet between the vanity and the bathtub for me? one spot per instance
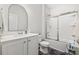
(44, 45)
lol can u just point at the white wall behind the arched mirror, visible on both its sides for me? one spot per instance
(34, 16)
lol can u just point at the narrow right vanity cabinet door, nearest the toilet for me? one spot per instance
(33, 45)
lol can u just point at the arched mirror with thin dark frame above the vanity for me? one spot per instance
(17, 18)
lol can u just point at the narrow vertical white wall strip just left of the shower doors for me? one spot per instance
(45, 12)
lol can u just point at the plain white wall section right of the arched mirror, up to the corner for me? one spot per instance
(34, 17)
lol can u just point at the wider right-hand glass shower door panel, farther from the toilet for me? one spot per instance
(66, 27)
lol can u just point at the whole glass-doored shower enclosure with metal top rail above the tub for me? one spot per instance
(62, 27)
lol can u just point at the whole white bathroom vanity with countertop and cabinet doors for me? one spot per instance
(21, 44)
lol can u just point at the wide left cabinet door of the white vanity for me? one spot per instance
(13, 48)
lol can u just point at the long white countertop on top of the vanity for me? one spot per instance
(14, 37)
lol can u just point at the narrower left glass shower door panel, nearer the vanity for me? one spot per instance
(52, 28)
